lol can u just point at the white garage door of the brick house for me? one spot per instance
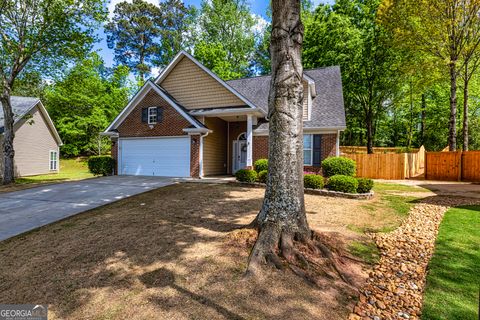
(163, 157)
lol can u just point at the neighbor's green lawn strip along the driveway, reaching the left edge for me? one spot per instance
(70, 169)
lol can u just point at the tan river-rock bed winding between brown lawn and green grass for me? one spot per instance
(395, 287)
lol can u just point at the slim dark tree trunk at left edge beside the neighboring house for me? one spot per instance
(8, 175)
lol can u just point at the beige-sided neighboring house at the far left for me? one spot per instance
(36, 141)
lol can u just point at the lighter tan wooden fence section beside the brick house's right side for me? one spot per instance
(389, 166)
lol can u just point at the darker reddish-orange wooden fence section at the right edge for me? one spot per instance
(453, 166)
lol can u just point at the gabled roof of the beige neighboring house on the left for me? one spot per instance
(22, 106)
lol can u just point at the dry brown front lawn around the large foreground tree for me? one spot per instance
(174, 253)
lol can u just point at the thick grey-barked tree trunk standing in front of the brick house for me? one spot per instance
(282, 219)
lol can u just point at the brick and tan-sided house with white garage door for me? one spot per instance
(190, 123)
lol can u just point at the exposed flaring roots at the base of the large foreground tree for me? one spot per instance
(313, 259)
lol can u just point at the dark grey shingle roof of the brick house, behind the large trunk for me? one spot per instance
(328, 109)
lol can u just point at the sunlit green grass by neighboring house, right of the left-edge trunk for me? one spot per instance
(70, 169)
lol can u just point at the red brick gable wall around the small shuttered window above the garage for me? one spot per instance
(171, 124)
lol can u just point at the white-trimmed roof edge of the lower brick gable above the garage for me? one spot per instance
(149, 85)
